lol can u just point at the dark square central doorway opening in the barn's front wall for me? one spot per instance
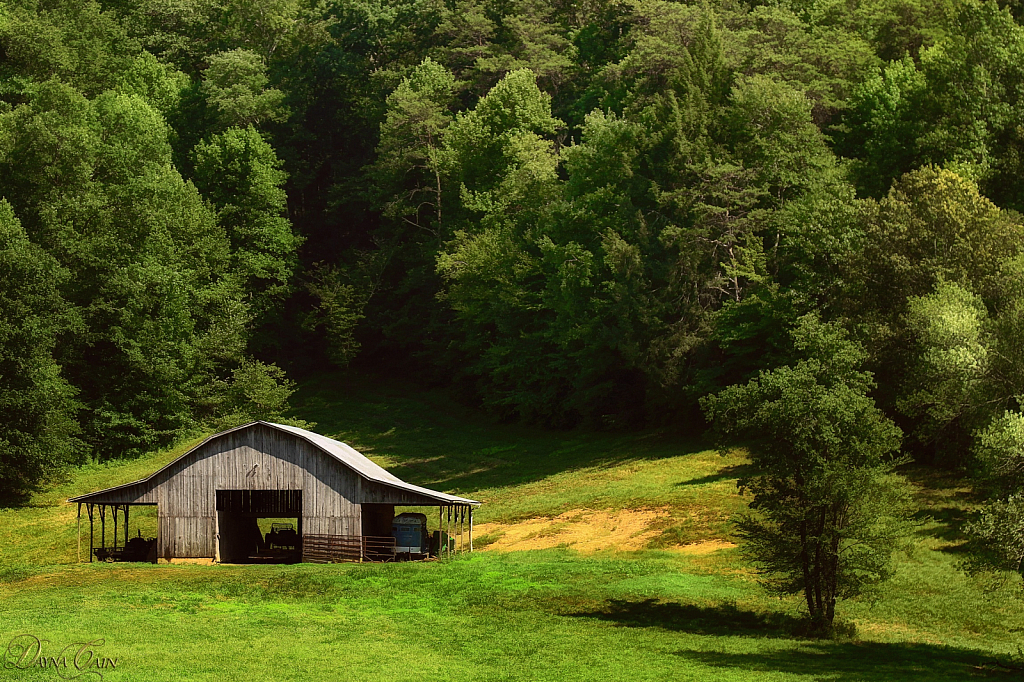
(263, 527)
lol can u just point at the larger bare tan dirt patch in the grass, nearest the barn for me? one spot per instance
(586, 531)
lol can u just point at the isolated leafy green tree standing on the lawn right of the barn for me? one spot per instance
(828, 511)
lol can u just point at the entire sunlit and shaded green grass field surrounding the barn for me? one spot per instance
(606, 557)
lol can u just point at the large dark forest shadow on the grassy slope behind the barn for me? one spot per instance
(436, 442)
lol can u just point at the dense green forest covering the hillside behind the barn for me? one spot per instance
(591, 214)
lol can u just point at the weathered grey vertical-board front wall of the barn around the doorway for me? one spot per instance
(255, 458)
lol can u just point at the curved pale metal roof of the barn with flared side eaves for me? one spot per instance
(340, 452)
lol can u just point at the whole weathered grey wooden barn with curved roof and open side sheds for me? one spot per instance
(209, 502)
